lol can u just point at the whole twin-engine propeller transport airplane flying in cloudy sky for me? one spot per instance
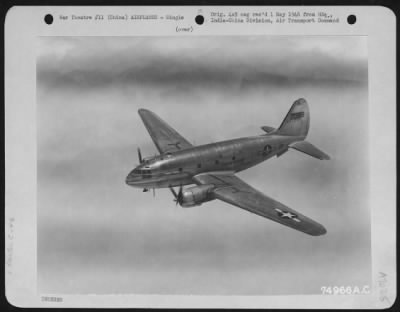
(212, 167)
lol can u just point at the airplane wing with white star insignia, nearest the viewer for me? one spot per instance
(229, 188)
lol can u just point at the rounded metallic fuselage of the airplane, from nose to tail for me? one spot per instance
(178, 168)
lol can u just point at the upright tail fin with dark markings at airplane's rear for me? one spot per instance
(297, 120)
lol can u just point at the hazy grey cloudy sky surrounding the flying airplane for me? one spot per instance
(96, 235)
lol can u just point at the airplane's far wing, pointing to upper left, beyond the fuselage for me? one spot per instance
(164, 136)
